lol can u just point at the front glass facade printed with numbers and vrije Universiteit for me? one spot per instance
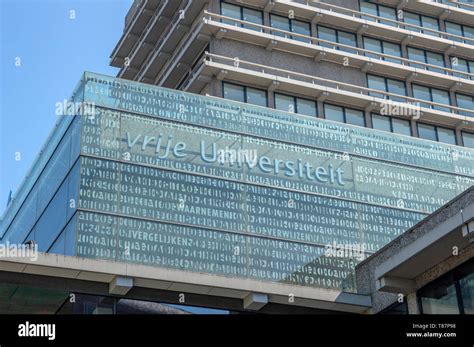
(203, 184)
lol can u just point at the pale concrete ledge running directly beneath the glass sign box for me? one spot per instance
(83, 269)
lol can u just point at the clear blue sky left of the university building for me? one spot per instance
(54, 50)
